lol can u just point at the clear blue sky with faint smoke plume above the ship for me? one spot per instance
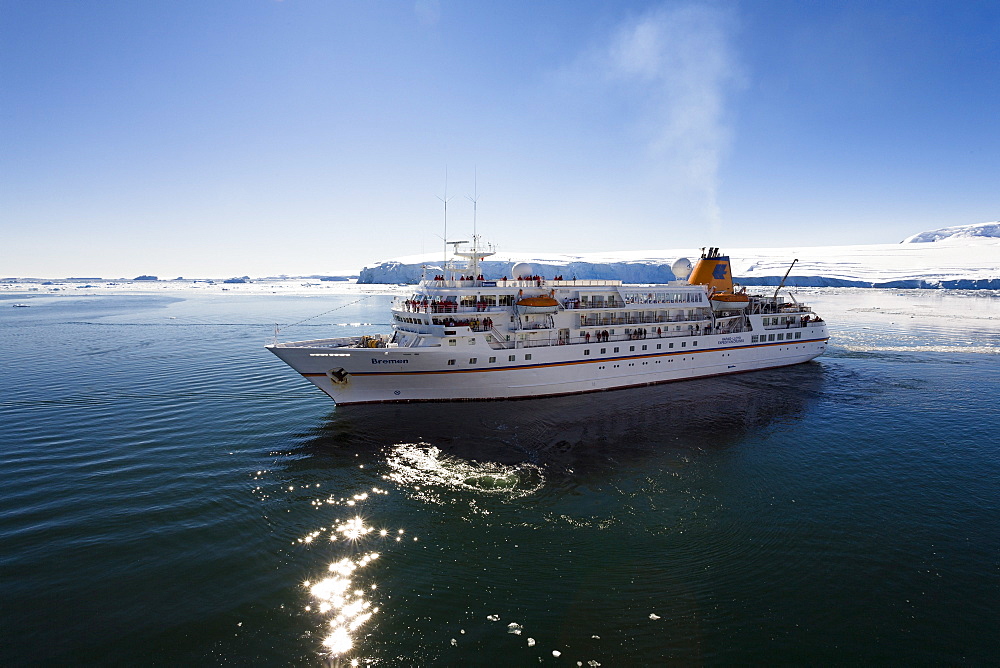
(192, 138)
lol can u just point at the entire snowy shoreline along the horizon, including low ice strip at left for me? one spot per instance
(958, 258)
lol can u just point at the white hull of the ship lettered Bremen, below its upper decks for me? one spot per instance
(375, 375)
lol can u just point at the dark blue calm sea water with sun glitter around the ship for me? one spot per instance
(174, 495)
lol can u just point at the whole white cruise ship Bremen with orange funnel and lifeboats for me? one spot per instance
(462, 336)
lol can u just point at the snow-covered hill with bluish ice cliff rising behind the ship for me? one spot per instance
(966, 257)
